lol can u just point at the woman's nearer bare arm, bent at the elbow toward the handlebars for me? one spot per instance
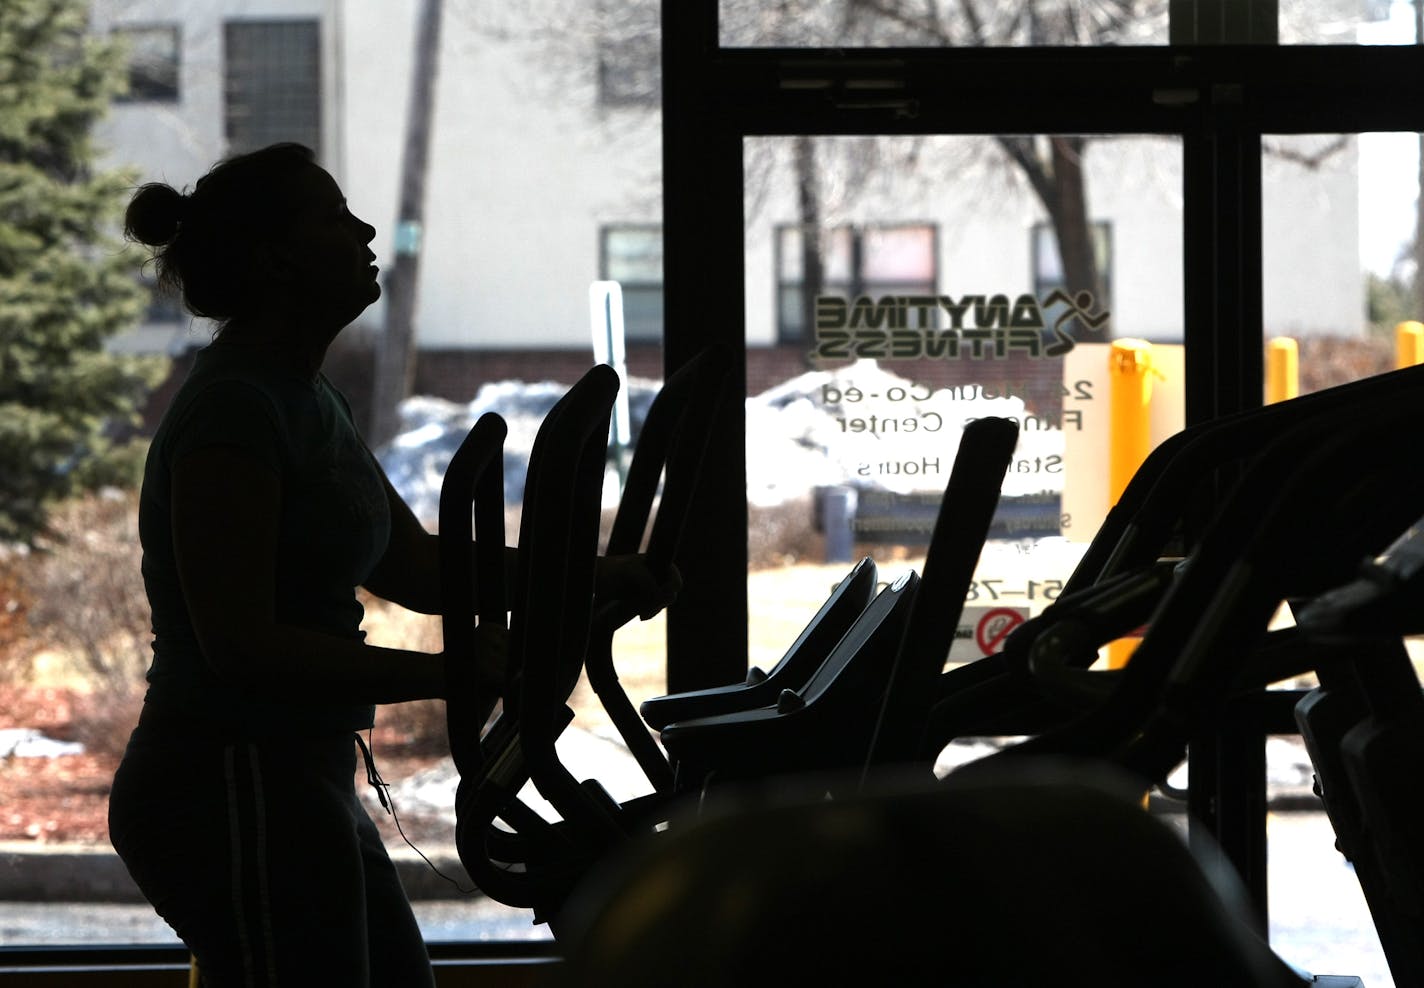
(226, 510)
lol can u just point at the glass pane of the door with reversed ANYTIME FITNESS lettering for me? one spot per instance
(898, 288)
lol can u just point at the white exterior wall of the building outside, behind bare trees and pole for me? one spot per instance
(529, 167)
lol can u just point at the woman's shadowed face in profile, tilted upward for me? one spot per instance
(327, 254)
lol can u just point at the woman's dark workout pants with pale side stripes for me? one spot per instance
(263, 861)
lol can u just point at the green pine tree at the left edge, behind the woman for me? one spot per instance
(68, 283)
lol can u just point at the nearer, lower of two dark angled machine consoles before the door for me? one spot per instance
(825, 727)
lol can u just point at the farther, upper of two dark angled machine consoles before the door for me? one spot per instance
(792, 671)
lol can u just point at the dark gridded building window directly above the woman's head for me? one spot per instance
(273, 83)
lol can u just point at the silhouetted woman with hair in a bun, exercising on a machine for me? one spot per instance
(261, 513)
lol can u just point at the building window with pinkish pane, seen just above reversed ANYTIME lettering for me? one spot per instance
(871, 260)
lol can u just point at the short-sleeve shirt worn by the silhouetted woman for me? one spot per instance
(334, 530)
